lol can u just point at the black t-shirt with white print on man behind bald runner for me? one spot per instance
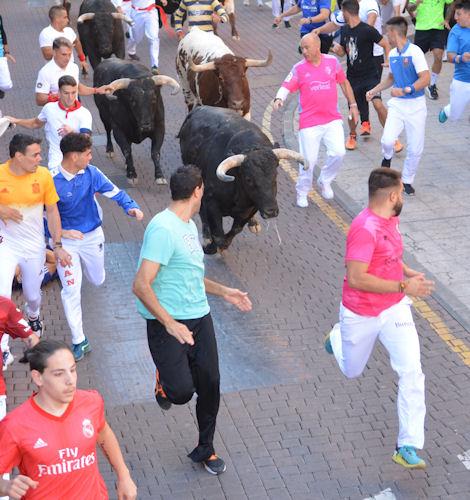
(358, 42)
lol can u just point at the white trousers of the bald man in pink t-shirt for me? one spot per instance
(310, 138)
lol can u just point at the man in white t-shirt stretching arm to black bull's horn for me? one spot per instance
(48, 77)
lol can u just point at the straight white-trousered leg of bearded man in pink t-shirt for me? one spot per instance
(400, 338)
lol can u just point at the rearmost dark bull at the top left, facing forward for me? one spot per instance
(100, 30)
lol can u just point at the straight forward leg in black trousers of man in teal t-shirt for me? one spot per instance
(204, 362)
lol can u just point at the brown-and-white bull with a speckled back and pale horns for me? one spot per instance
(211, 74)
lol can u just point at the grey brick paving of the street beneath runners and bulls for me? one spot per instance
(290, 425)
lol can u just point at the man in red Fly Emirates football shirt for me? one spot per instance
(51, 438)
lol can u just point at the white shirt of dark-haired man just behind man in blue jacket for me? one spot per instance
(55, 117)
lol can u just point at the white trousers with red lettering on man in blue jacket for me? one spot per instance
(87, 256)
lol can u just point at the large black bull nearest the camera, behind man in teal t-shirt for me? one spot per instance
(219, 140)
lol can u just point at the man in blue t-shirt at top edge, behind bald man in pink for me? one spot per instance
(314, 14)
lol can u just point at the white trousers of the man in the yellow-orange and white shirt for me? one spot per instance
(32, 273)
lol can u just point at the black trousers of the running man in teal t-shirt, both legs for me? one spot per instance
(185, 370)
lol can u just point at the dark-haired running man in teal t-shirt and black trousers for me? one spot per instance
(171, 291)
